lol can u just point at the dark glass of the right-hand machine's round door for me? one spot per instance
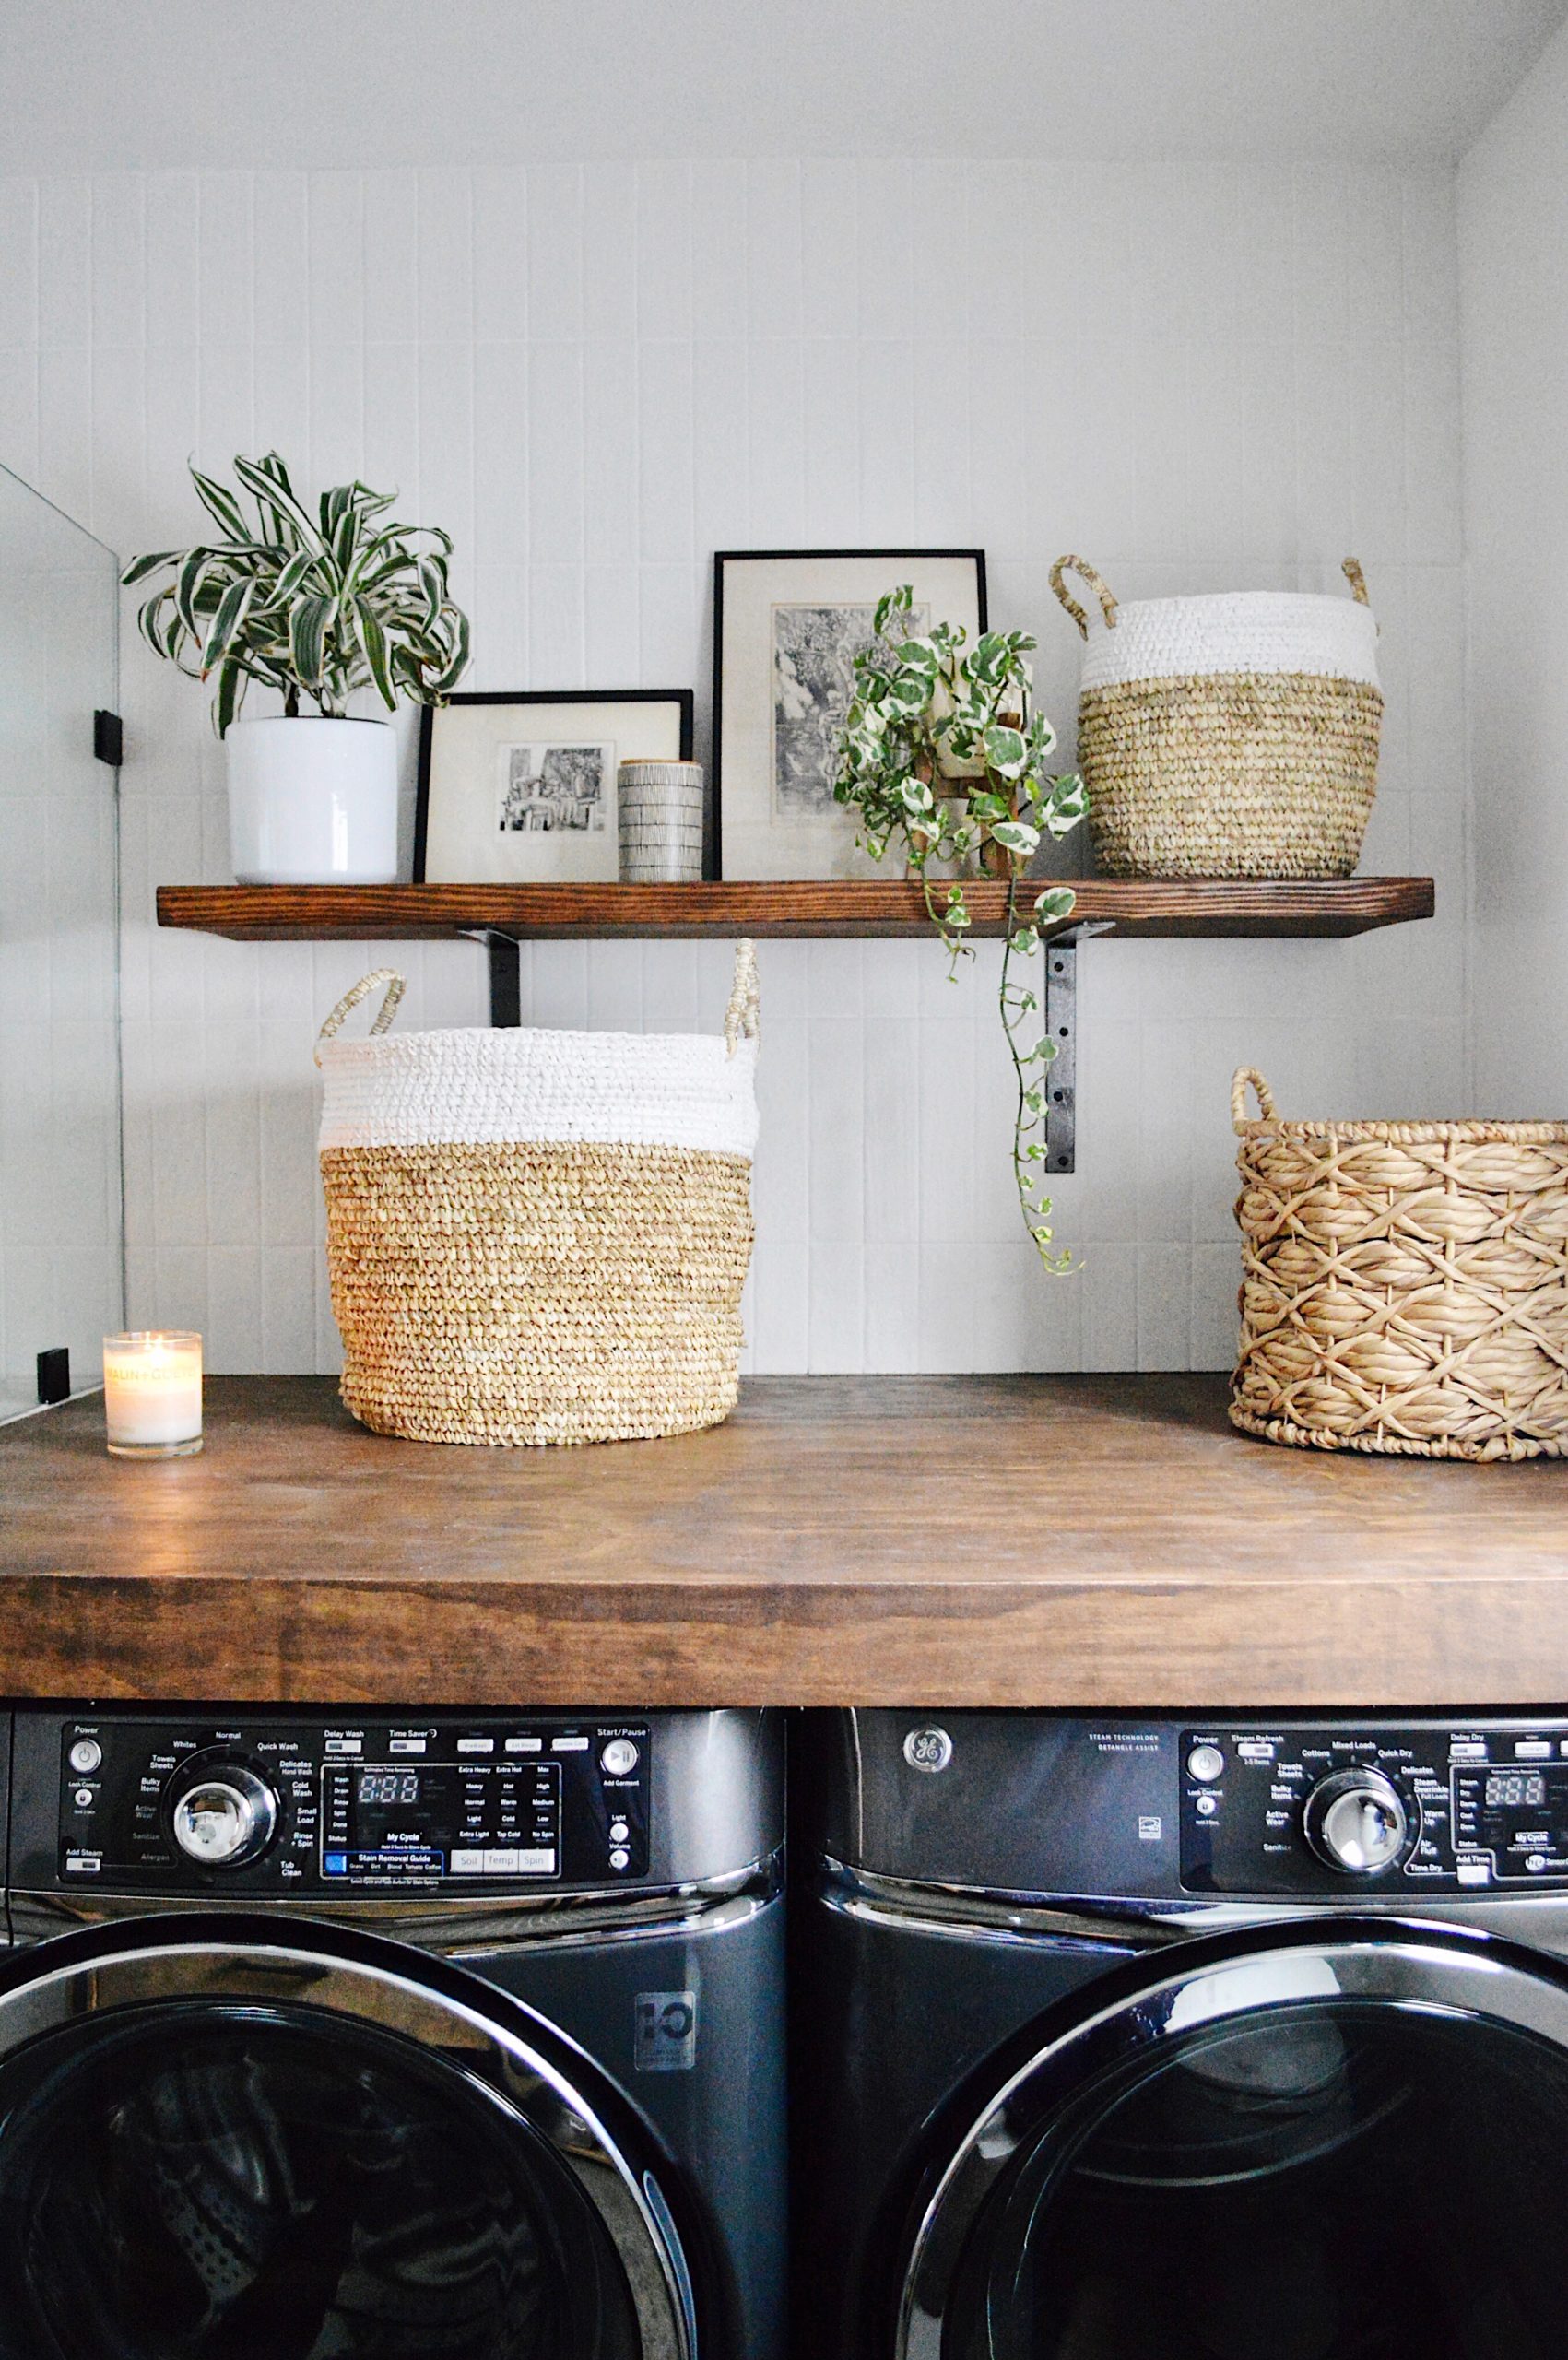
(1324, 2182)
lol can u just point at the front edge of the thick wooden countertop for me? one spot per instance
(1066, 1648)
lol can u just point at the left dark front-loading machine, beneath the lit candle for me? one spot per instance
(391, 2038)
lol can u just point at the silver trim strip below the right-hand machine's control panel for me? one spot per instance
(967, 1913)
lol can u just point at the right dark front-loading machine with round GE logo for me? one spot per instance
(1182, 2038)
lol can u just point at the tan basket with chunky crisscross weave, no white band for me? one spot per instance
(1404, 1285)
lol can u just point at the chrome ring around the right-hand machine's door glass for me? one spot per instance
(1402, 1965)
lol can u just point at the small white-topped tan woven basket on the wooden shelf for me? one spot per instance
(1227, 737)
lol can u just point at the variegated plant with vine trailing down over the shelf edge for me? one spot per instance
(946, 754)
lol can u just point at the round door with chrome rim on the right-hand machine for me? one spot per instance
(1328, 2142)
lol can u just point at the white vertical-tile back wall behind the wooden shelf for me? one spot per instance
(1196, 376)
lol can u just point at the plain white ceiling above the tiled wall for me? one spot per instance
(100, 84)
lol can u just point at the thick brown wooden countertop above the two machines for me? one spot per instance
(943, 1542)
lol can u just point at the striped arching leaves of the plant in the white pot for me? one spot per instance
(313, 603)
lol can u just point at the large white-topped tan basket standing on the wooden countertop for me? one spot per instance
(540, 1235)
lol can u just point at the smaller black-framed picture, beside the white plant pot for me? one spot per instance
(521, 787)
